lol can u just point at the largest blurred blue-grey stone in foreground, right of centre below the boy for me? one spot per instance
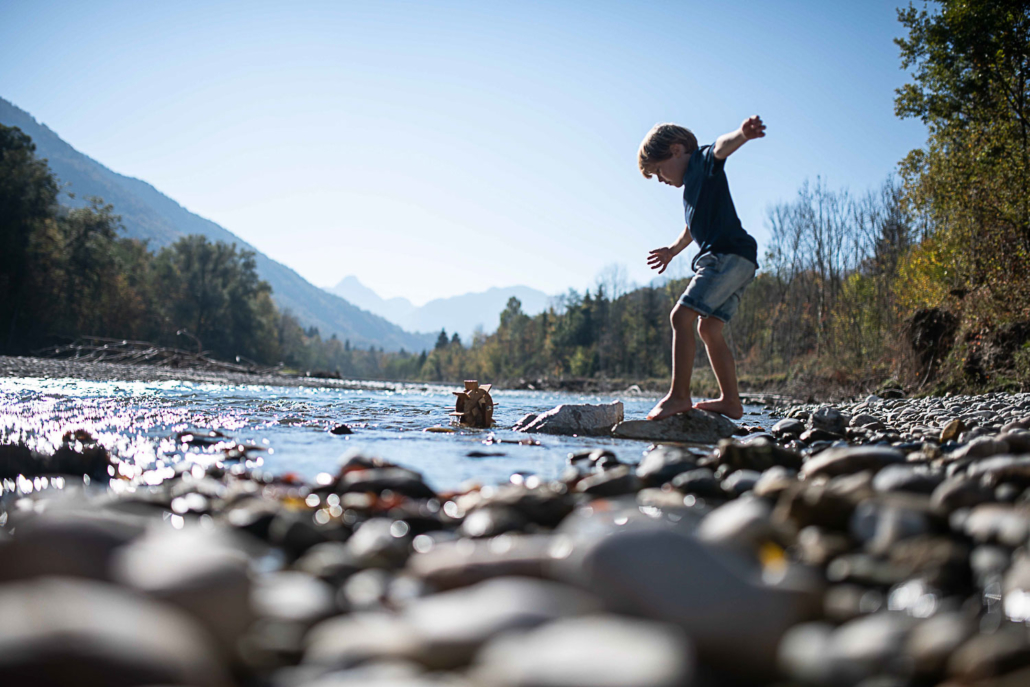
(717, 597)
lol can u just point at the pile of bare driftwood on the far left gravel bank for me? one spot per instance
(98, 350)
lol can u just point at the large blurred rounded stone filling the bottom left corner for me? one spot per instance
(68, 632)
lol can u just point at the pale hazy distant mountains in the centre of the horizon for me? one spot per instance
(459, 314)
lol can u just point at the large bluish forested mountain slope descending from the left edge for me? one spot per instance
(149, 215)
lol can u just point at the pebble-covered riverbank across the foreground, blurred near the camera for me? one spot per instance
(880, 542)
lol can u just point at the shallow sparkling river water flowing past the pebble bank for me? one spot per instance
(141, 424)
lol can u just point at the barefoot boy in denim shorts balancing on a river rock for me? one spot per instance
(724, 268)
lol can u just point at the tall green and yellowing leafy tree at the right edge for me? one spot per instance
(971, 185)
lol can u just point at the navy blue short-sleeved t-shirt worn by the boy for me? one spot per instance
(710, 211)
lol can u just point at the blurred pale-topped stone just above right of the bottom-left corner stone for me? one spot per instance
(201, 572)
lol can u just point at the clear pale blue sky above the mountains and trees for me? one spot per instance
(436, 149)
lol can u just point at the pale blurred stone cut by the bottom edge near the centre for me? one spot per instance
(601, 651)
